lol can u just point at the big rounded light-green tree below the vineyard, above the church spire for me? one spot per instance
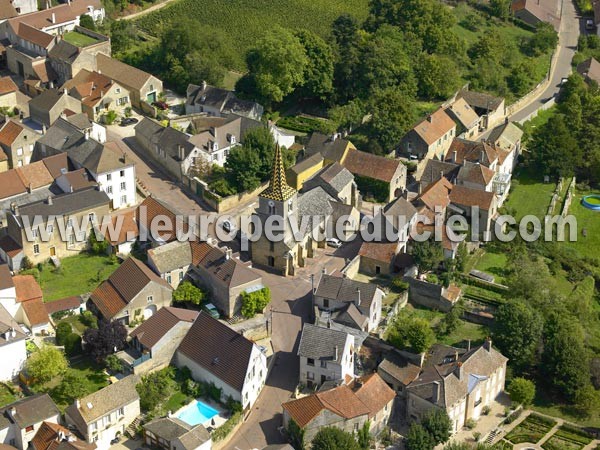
(277, 65)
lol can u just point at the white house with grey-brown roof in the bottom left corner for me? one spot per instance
(21, 420)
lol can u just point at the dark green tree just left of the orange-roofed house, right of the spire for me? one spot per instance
(392, 115)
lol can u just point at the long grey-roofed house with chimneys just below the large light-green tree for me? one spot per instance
(217, 102)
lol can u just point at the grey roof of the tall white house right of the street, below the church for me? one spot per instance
(320, 343)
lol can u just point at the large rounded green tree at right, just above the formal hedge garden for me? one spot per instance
(565, 358)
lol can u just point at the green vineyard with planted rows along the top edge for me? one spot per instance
(244, 21)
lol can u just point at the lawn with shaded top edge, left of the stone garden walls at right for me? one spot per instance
(530, 195)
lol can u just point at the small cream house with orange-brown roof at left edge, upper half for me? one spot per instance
(18, 141)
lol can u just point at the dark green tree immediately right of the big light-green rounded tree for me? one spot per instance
(318, 73)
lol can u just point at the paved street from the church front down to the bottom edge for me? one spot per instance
(291, 307)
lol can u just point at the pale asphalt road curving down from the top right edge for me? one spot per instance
(570, 27)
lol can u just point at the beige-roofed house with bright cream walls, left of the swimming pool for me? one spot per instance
(105, 415)
